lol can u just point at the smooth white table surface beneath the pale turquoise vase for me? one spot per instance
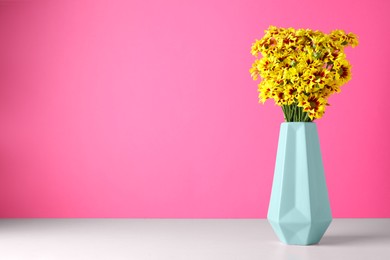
(187, 239)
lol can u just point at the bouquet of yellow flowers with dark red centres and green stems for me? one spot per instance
(300, 69)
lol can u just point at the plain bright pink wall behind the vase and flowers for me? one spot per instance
(147, 109)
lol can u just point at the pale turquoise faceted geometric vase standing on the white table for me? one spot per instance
(299, 210)
